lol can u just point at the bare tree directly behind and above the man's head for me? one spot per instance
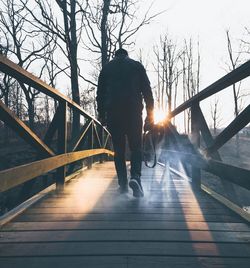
(112, 24)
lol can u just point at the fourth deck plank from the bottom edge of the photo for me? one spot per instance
(126, 225)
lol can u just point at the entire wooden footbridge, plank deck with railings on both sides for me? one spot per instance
(84, 222)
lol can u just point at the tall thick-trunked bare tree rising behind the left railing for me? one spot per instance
(65, 28)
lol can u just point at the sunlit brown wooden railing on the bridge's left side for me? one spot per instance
(92, 140)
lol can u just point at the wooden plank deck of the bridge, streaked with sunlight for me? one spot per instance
(91, 225)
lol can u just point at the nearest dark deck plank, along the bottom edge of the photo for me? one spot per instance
(124, 262)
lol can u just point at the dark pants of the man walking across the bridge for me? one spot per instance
(122, 124)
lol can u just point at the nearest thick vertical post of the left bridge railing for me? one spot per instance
(61, 143)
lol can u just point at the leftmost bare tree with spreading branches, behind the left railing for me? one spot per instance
(24, 45)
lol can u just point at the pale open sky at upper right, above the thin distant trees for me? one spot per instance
(206, 21)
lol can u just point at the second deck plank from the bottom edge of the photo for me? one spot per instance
(180, 249)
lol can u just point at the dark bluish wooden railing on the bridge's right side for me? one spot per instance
(207, 156)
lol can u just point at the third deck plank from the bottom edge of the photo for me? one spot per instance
(124, 235)
